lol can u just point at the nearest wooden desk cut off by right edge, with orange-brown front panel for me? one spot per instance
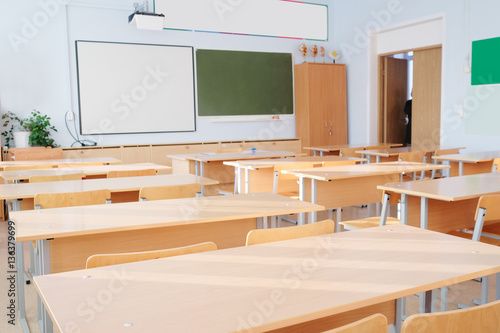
(445, 204)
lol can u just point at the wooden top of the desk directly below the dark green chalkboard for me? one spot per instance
(243, 155)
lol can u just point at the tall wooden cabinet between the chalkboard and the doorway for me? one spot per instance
(321, 104)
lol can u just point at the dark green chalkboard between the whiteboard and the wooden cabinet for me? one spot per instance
(235, 83)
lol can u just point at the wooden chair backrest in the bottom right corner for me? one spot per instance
(484, 319)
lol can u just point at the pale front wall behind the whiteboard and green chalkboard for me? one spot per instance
(37, 71)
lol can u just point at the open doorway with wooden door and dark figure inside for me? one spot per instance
(410, 97)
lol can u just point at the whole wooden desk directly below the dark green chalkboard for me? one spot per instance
(211, 164)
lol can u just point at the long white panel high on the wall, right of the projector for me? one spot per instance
(277, 18)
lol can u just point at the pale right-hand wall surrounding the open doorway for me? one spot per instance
(470, 115)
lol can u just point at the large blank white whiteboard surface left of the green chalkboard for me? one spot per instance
(135, 88)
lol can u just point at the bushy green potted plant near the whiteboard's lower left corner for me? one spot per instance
(40, 127)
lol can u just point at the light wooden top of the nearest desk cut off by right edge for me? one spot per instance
(449, 189)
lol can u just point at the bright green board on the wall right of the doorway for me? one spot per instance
(486, 61)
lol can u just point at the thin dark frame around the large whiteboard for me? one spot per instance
(195, 110)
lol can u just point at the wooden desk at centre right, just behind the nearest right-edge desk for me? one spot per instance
(342, 186)
